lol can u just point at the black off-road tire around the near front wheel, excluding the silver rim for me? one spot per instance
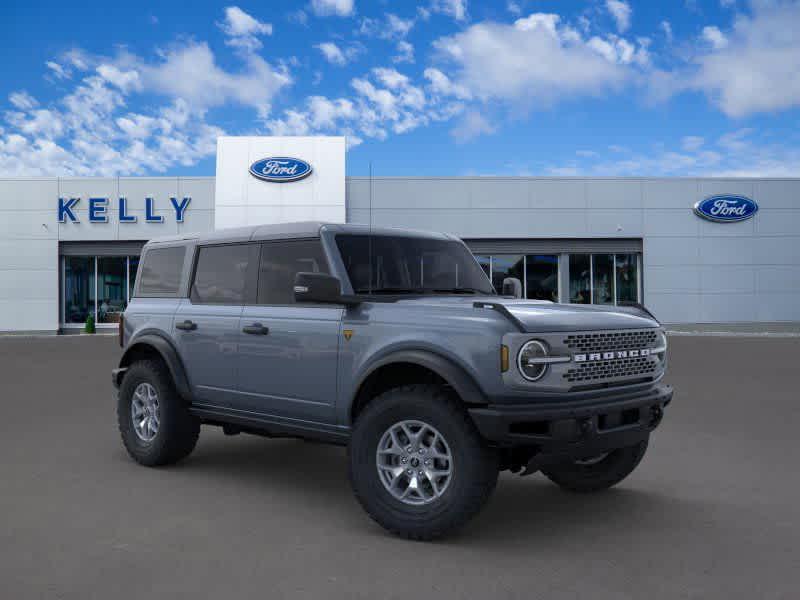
(475, 466)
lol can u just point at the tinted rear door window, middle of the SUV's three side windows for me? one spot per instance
(220, 274)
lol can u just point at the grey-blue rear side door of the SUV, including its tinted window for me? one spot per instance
(207, 323)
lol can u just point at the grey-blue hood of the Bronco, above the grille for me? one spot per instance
(536, 316)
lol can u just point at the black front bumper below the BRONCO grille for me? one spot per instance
(577, 428)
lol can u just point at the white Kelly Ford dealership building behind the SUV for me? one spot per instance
(692, 250)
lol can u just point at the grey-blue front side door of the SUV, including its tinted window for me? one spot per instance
(288, 352)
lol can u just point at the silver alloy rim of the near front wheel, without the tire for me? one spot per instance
(414, 462)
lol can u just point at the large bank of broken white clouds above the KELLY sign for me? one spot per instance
(89, 130)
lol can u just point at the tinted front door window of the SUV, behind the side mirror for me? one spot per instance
(280, 262)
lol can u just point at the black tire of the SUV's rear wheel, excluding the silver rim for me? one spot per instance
(178, 430)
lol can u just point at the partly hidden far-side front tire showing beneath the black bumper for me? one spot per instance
(598, 476)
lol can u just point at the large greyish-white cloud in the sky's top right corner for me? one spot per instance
(758, 70)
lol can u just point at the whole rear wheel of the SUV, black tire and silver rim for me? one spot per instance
(153, 419)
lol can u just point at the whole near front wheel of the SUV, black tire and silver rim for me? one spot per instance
(417, 464)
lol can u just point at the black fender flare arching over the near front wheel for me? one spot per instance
(456, 377)
